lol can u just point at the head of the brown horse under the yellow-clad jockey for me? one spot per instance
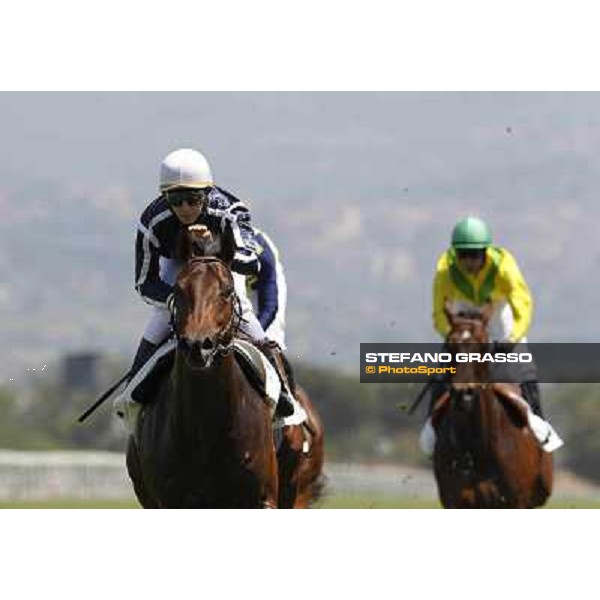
(468, 334)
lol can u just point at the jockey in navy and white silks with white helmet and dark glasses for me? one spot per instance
(189, 196)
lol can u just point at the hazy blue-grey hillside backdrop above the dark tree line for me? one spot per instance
(359, 190)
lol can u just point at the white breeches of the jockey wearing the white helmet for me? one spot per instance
(158, 326)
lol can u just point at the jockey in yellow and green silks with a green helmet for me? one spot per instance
(469, 274)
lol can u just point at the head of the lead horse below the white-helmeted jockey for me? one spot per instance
(206, 314)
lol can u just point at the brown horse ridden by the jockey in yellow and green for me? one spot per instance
(486, 455)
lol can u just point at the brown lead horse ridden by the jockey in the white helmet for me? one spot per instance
(205, 441)
